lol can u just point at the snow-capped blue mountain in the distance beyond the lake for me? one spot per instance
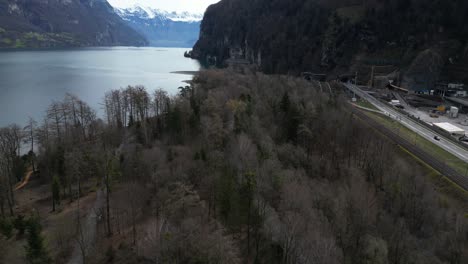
(162, 28)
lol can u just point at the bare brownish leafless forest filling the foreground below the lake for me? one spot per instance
(237, 168)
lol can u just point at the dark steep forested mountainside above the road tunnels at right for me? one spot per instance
(316, 35)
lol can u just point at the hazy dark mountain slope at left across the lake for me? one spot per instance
(60, 23)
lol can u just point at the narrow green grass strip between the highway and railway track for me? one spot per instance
(421, 142)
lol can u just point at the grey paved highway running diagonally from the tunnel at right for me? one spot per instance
(426, 133)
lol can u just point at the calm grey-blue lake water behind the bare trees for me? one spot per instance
(31, 80)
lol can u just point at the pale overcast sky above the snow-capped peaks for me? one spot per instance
(194, 6)
